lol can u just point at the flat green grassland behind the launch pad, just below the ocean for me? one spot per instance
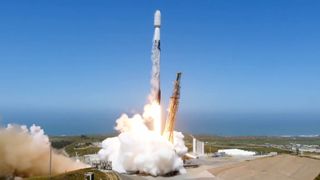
(83, 144)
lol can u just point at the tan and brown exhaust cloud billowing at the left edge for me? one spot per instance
(25, 152)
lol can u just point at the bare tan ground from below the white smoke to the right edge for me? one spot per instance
(281, 167)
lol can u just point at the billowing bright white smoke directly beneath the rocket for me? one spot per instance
(138, 149)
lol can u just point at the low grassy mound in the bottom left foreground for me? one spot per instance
(80, 174)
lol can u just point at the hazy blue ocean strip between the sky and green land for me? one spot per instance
(221, 124)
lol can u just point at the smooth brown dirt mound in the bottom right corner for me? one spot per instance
(280, 167)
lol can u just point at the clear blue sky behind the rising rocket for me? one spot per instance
(253, 57)
